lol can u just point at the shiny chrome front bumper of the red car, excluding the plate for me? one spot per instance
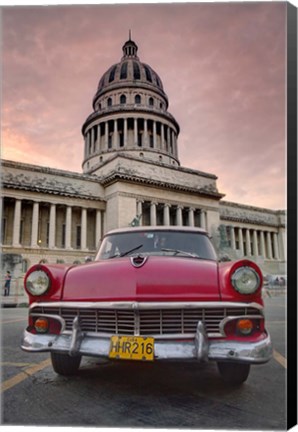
(198, 349)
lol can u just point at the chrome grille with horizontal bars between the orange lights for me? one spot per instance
(145, 321)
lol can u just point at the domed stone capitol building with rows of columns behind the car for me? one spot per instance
(131, 176)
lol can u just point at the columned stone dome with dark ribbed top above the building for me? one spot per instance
(130, 115)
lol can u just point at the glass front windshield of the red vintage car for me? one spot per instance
(160, 242)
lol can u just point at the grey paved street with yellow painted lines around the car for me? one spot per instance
(141, 395)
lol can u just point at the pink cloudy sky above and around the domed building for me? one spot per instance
(222, 67)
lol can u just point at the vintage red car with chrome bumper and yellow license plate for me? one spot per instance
(152, 294)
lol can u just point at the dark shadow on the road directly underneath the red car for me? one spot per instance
(158, 377)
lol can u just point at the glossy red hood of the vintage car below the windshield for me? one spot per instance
(156, 279)
